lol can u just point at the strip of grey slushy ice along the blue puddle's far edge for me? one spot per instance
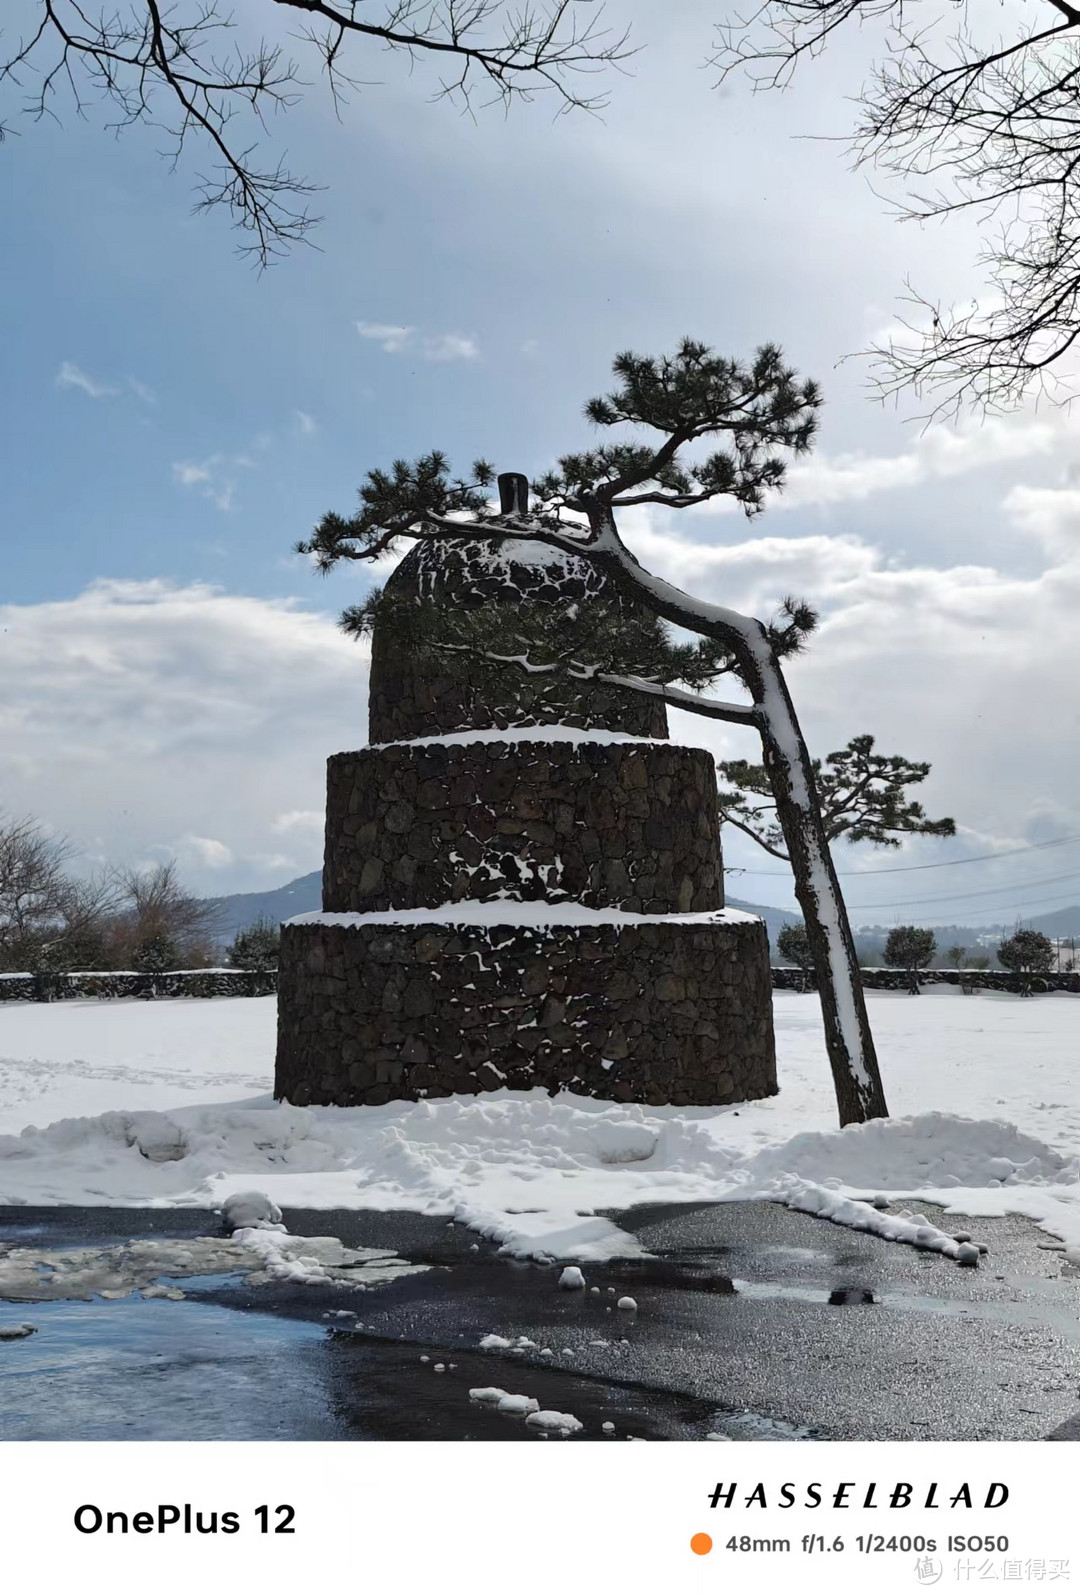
(156, 1267)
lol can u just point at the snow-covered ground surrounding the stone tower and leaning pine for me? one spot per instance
(167, 1103)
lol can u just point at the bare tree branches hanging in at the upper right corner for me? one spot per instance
(977, 117)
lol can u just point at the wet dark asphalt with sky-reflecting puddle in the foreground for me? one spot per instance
(752, 1323)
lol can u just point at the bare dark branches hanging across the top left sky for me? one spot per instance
(187, 69)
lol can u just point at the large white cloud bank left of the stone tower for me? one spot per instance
(146, 720)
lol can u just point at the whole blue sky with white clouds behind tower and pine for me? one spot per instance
(171, 679)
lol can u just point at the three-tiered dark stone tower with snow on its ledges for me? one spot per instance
(522, 883)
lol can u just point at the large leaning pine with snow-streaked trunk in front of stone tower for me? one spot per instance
(762, 414)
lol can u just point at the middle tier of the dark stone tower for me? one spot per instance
(607, 825)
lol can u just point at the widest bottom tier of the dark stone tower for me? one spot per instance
(631, 1014)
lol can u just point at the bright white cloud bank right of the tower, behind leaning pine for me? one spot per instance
(964, 666)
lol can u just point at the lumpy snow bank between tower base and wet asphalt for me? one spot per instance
(530, 1172)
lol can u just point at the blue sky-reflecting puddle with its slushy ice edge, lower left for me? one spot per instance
(124, 1350)
